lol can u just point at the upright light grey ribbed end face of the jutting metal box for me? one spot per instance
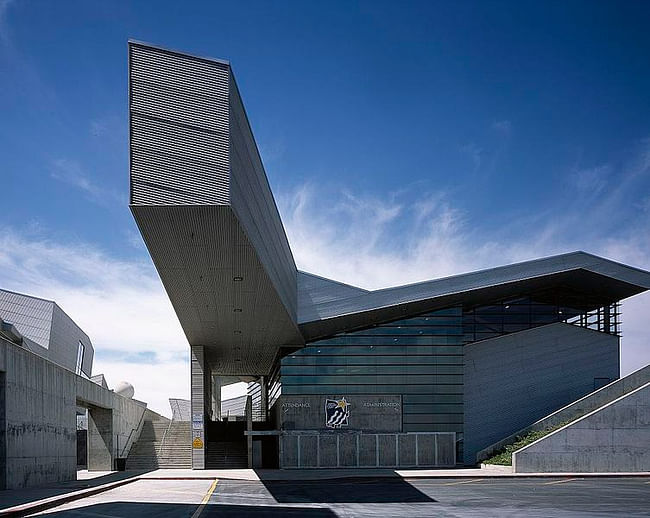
(179, 128)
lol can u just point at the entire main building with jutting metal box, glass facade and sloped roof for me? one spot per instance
(427, 374)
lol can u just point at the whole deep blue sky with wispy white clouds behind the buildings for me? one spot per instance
(403, 141)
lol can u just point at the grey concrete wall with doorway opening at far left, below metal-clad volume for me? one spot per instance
(38, 439)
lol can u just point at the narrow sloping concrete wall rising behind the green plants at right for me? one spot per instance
(576, 409)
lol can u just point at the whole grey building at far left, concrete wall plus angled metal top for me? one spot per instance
(45, 368)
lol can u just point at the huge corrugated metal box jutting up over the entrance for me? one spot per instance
(202, 202)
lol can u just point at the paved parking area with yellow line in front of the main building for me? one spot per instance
(542, 497)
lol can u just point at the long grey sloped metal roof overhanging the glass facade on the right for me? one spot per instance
(585, 272)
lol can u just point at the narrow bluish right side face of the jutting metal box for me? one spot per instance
(255, 207)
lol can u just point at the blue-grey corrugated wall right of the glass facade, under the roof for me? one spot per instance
(514, 380)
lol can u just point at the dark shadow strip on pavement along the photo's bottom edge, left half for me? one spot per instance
(155, 510)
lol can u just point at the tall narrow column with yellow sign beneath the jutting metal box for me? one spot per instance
(198, 405)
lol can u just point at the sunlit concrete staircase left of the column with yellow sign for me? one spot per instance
(162, 444)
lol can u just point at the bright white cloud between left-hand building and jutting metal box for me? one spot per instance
(120, 304)
